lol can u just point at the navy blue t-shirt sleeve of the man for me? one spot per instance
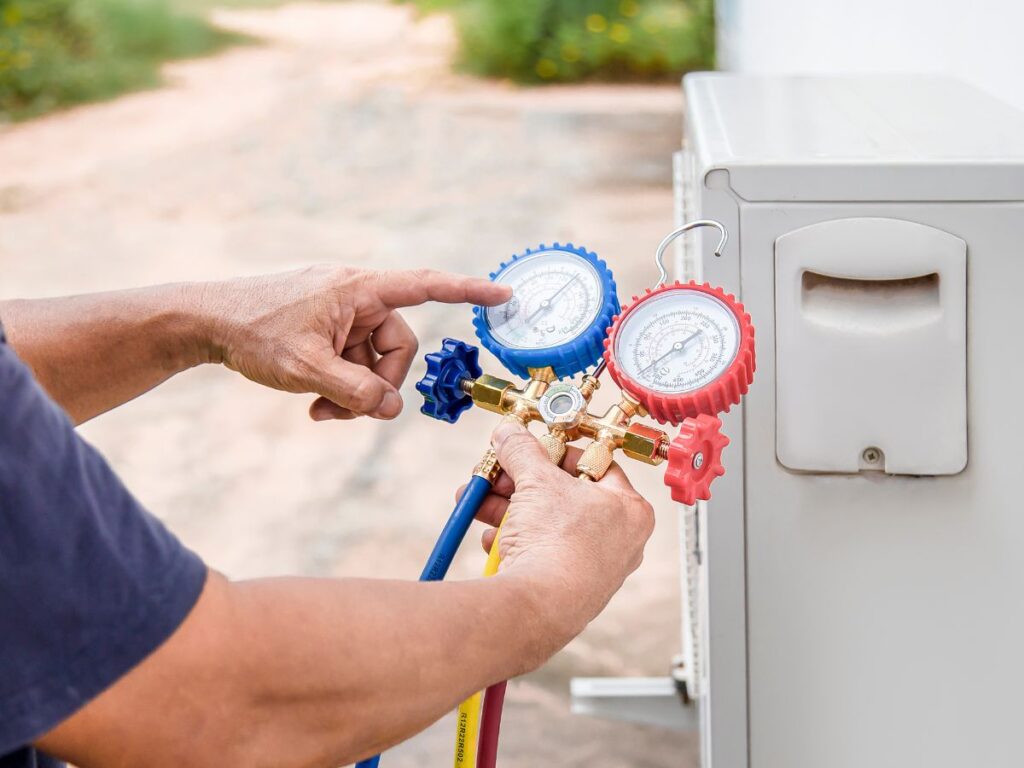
(91, 584)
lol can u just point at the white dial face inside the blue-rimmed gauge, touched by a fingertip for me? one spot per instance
(557, 295)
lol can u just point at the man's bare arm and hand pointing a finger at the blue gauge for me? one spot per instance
(330, 331)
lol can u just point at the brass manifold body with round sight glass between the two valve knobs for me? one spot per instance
(564, 408)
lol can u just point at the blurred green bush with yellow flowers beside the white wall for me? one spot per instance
(565, 40)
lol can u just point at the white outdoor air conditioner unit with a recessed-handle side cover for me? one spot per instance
(860, 574)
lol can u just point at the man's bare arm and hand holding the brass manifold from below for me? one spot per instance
(316, 673)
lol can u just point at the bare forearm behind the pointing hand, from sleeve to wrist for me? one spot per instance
(95, 353)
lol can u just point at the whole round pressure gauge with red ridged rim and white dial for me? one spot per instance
(674, 348)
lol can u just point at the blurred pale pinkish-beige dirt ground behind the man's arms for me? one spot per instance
(345, 137)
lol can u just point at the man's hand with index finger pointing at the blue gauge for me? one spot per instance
(331, 331)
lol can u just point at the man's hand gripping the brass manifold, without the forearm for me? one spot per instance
(576, 541)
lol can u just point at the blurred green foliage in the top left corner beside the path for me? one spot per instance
(61, 53)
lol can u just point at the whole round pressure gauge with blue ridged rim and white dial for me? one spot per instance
(563, 303)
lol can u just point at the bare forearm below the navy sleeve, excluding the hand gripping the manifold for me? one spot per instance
(304, 672)
